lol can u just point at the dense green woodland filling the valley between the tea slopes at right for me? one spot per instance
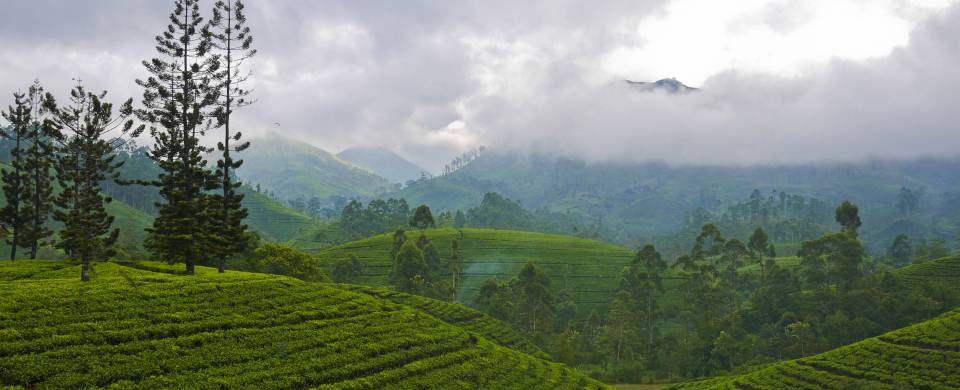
(706, 313)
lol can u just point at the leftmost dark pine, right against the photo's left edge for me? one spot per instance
(18, 115)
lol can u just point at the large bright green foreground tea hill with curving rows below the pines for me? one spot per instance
(133, 328)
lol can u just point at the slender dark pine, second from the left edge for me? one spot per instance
(37, 180)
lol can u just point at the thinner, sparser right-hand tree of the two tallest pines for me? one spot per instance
(232, 39)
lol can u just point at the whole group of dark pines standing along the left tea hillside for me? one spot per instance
(195, 84)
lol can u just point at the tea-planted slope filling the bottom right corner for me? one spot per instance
(922, 356)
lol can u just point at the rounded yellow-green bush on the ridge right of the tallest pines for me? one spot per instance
(280, 259)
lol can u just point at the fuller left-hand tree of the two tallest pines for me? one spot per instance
(179, 97)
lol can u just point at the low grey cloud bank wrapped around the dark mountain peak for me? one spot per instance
(899, 106)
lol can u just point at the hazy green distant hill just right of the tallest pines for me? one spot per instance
(295, 169)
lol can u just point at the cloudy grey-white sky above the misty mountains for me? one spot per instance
(781, 81)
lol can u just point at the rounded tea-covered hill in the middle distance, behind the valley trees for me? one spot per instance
(589, 268)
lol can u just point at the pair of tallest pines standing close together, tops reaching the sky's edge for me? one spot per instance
(195, 84)
